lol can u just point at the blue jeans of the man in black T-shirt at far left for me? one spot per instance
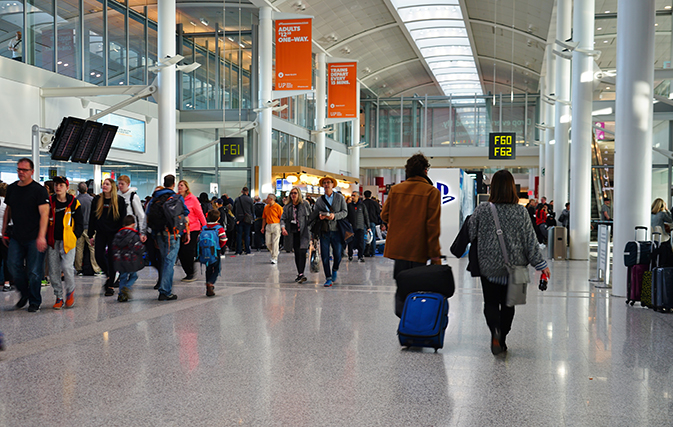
(28, 277)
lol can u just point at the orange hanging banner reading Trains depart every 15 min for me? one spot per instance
(342, 90)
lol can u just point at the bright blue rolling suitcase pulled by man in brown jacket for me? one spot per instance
(424, 320)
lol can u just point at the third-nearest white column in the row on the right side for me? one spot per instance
(562, 118)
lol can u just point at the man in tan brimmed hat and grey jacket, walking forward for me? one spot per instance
(330, 208)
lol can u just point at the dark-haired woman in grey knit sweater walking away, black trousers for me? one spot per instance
(522, 248)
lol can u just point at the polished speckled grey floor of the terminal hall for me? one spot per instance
(268, 352)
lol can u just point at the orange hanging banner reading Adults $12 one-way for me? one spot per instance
(293, 54)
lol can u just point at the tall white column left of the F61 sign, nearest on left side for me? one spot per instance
(167, 91)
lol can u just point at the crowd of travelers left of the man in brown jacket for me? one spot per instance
(51, 233)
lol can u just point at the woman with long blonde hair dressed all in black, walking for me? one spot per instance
(108, 210)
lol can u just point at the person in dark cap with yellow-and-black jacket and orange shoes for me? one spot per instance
(66, 225)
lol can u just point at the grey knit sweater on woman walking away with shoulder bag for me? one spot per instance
(522, 245)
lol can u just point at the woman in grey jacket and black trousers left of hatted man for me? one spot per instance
(294, 226)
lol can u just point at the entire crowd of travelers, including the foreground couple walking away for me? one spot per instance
(115, 233)
